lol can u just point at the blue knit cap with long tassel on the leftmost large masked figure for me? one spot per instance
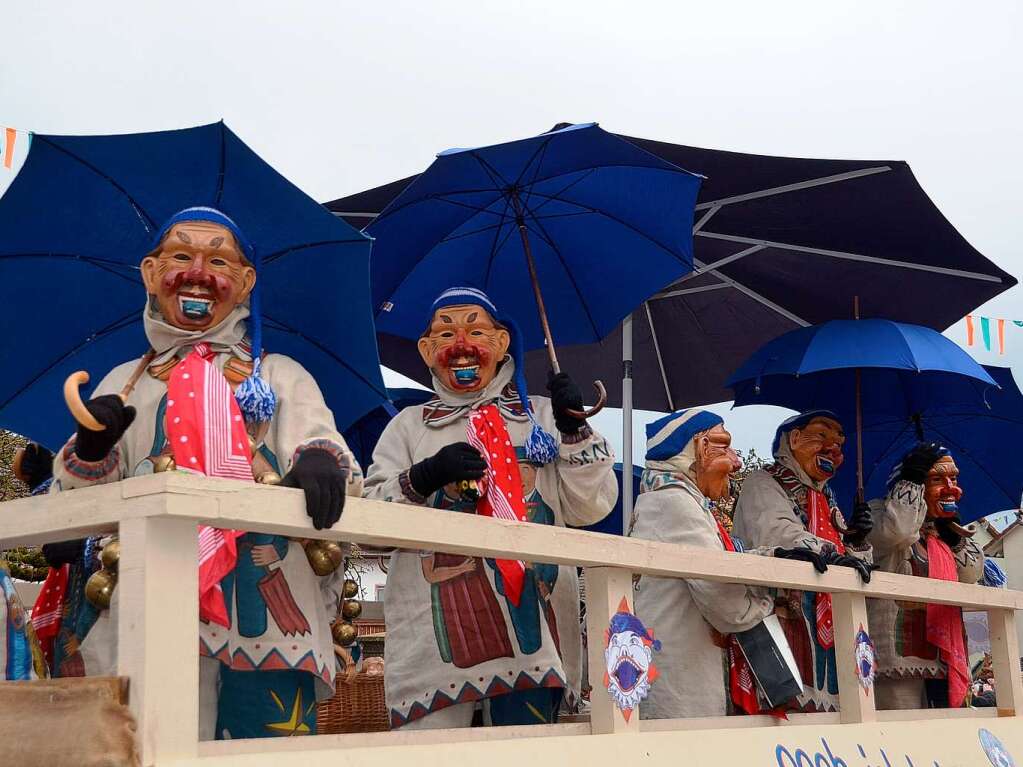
(255, 397)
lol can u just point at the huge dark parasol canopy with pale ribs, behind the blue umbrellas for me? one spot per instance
(780, 243)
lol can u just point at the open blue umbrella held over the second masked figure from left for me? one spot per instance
(597, 221)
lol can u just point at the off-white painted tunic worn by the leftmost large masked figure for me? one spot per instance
(255, 641)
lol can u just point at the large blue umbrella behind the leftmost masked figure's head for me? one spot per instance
(82, 212)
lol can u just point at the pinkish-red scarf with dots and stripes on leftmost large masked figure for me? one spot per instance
(208, 437)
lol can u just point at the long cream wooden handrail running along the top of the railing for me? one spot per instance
(242, 506)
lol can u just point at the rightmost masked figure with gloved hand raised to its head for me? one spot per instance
(922, 653)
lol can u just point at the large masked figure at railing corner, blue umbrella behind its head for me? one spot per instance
(268, 654)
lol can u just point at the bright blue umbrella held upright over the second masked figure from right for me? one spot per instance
(878, 370)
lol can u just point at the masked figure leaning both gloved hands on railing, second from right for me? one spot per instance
(788, 505)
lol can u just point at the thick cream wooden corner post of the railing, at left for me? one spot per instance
(158, 635)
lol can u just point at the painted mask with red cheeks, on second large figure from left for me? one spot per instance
(464, 346)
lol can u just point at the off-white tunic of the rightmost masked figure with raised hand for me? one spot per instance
(899, 629)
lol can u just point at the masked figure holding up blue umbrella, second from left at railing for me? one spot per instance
(462, 629)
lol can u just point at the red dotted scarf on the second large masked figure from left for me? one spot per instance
(501, 489)
